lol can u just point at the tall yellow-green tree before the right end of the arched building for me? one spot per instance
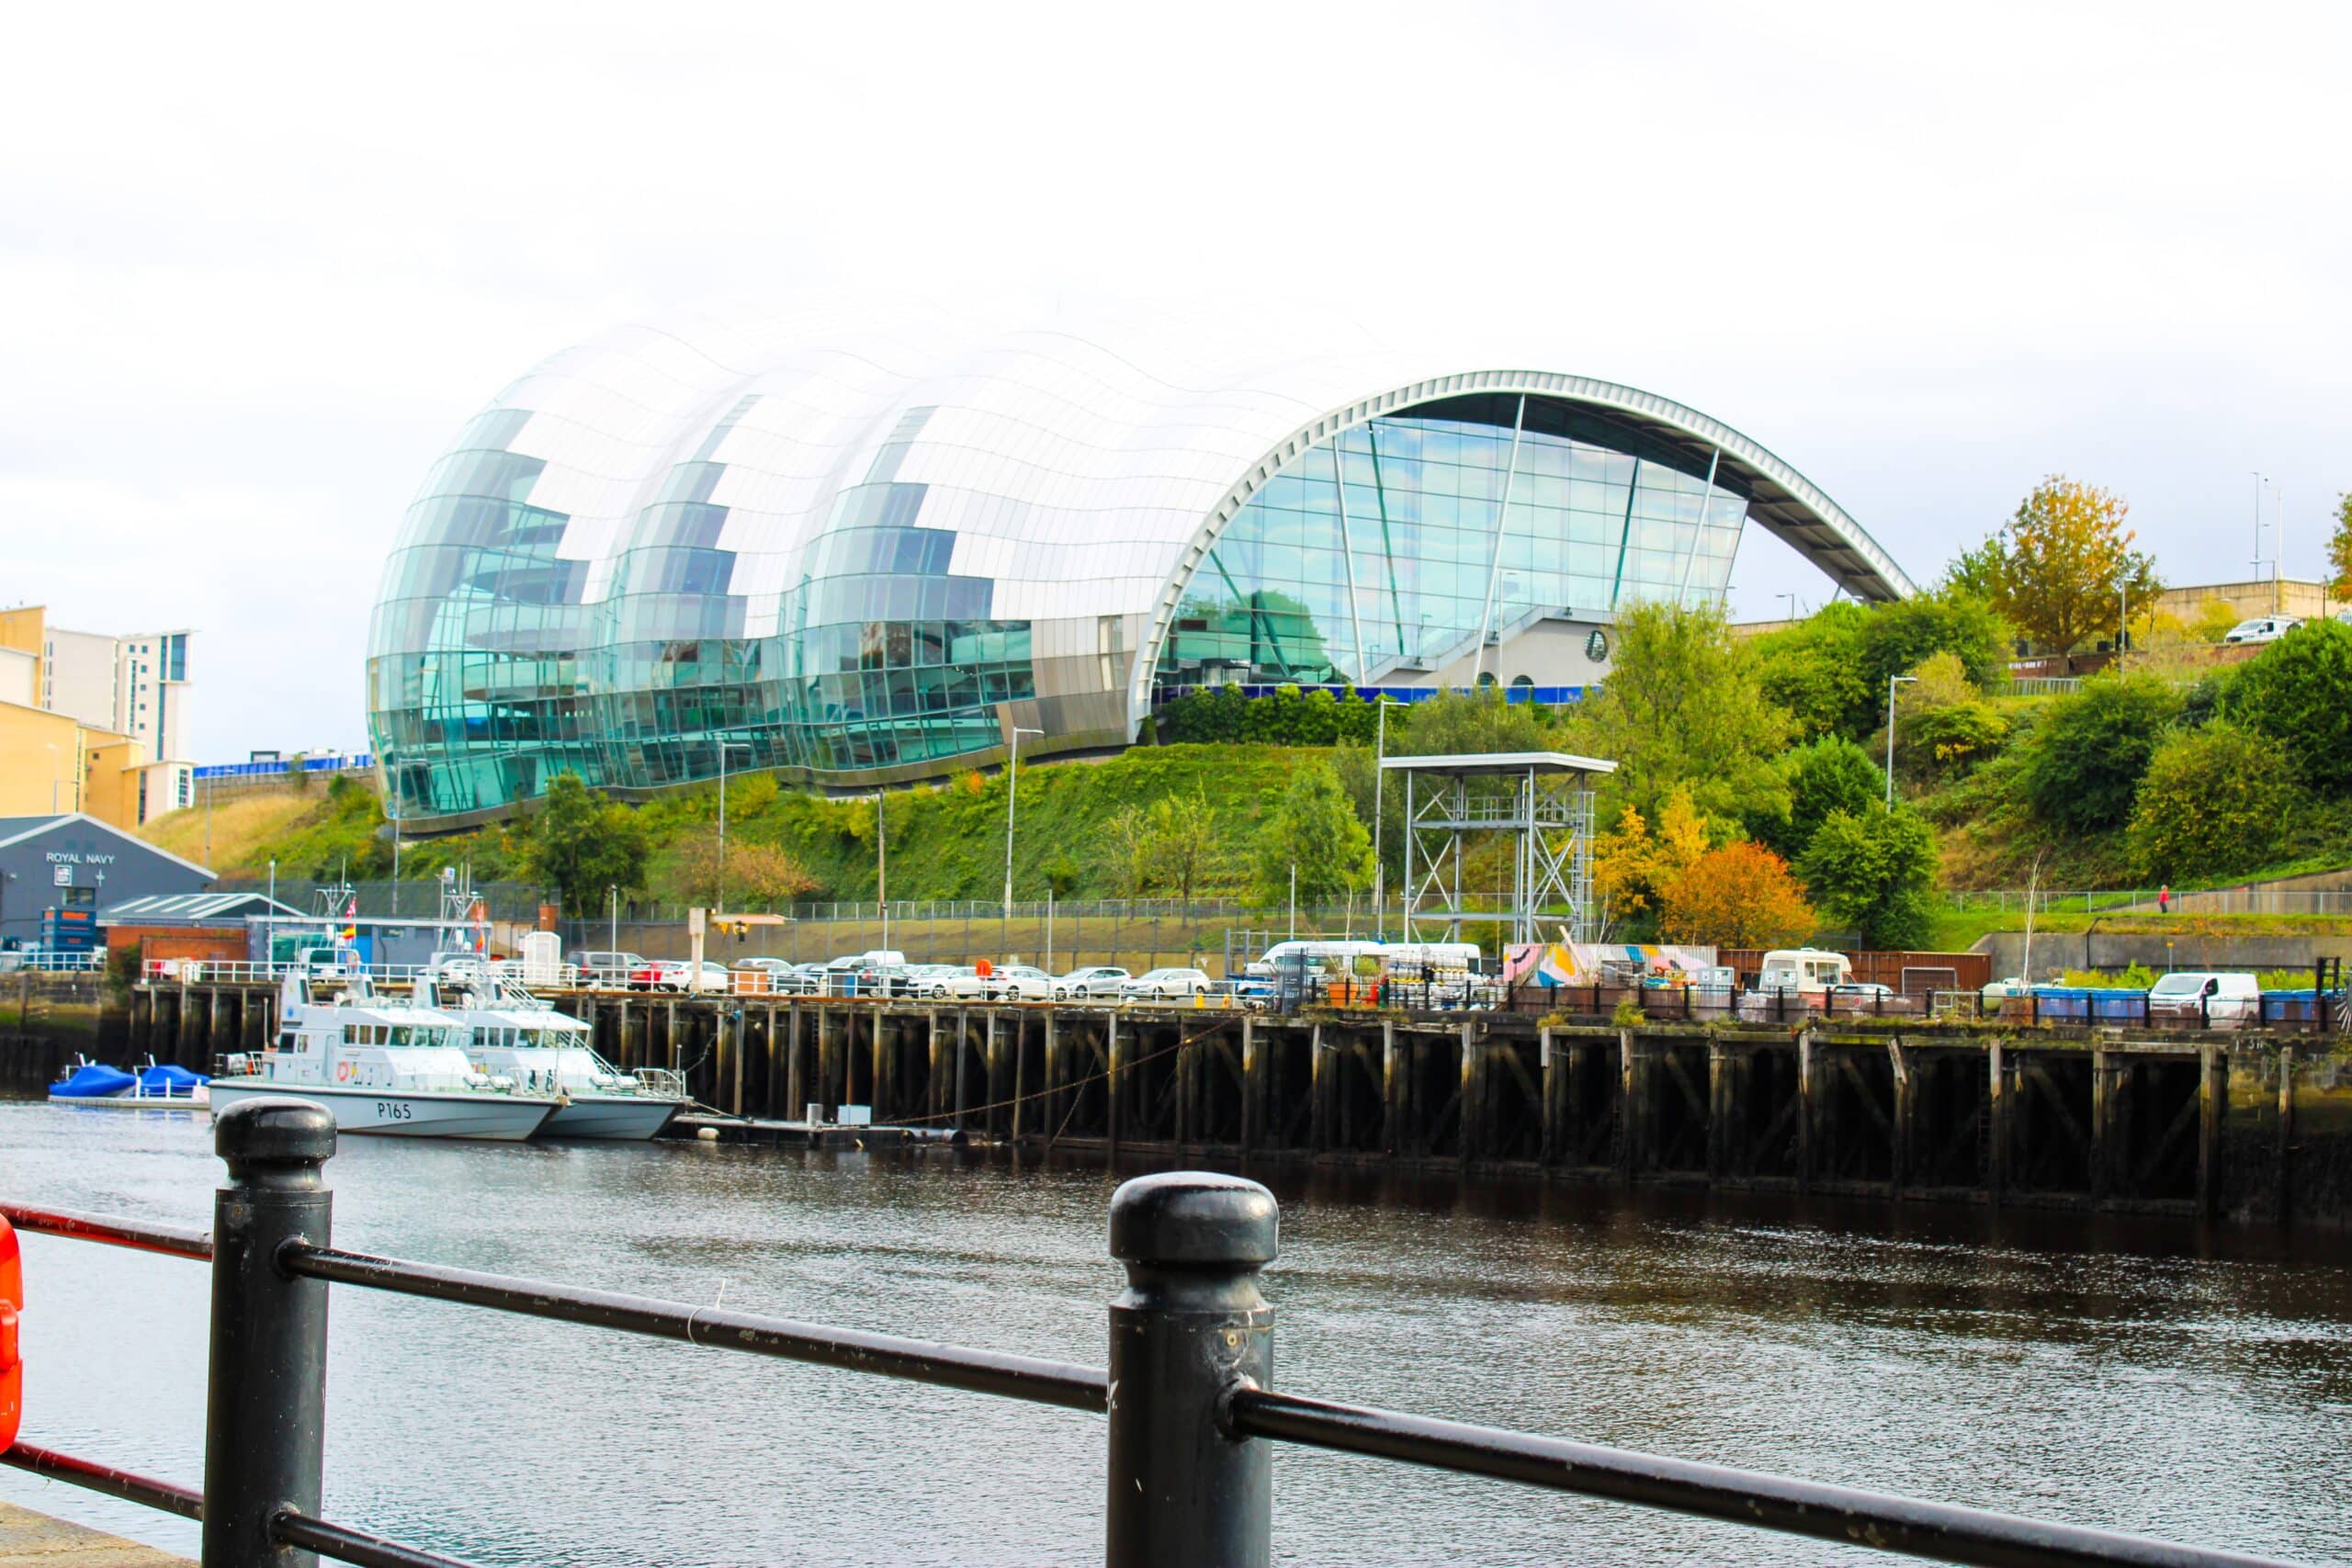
(1683, 709)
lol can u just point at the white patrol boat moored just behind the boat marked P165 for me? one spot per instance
(516, 1038)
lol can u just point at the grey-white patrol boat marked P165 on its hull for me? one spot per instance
(380, 1066)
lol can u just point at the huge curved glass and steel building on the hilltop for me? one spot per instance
(871, 554)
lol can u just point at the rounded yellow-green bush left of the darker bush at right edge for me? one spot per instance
(2214, 803)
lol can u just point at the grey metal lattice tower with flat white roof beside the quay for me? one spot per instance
(1539, 800)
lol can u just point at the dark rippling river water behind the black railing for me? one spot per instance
(2141, 1376)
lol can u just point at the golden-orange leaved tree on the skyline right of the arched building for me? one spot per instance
(2064, 565)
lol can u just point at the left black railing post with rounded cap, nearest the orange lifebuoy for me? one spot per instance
(267, 1409)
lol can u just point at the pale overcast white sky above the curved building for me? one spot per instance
(258, 264)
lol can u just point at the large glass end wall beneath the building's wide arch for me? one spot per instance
(1410, 542)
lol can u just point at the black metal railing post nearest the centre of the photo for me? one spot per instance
(1189, 1329)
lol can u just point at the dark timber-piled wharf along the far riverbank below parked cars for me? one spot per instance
(2250, 1127)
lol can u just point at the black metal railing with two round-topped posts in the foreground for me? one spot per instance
(1191, 1423)
